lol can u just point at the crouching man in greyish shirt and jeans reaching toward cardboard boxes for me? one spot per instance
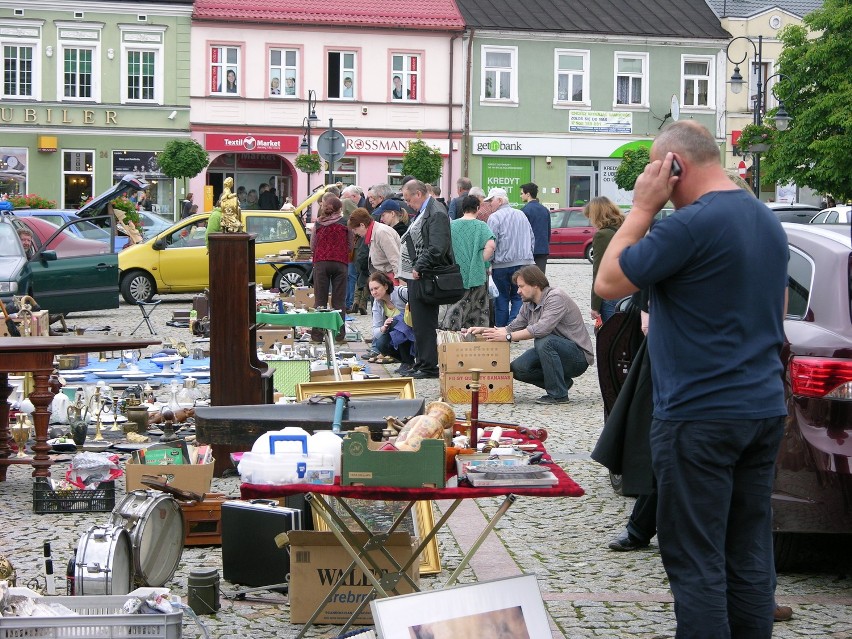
(562, 348)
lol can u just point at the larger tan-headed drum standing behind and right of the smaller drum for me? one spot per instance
(154, 521)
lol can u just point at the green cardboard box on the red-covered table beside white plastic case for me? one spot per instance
(364, 465)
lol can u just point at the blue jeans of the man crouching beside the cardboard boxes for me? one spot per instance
(550, 364)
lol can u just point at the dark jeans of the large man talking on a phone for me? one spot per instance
(714, 523)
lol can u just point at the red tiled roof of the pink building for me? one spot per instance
(437, 15)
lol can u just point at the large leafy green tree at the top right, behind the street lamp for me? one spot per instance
(817, 94)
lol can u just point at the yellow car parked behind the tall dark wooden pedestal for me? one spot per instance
(176, 260)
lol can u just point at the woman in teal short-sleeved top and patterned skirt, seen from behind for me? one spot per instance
(473, 245)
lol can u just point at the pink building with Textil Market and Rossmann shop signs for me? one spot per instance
(263, 71)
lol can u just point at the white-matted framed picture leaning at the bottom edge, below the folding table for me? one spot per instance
(509, 607)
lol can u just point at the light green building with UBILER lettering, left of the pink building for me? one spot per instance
(91, 91)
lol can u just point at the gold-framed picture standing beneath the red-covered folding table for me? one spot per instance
(380, 515)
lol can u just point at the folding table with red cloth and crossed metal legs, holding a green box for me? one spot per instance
(321, 498)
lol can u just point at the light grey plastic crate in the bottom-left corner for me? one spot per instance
(99, 617)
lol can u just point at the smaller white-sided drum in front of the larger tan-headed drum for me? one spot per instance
(102, 565)
